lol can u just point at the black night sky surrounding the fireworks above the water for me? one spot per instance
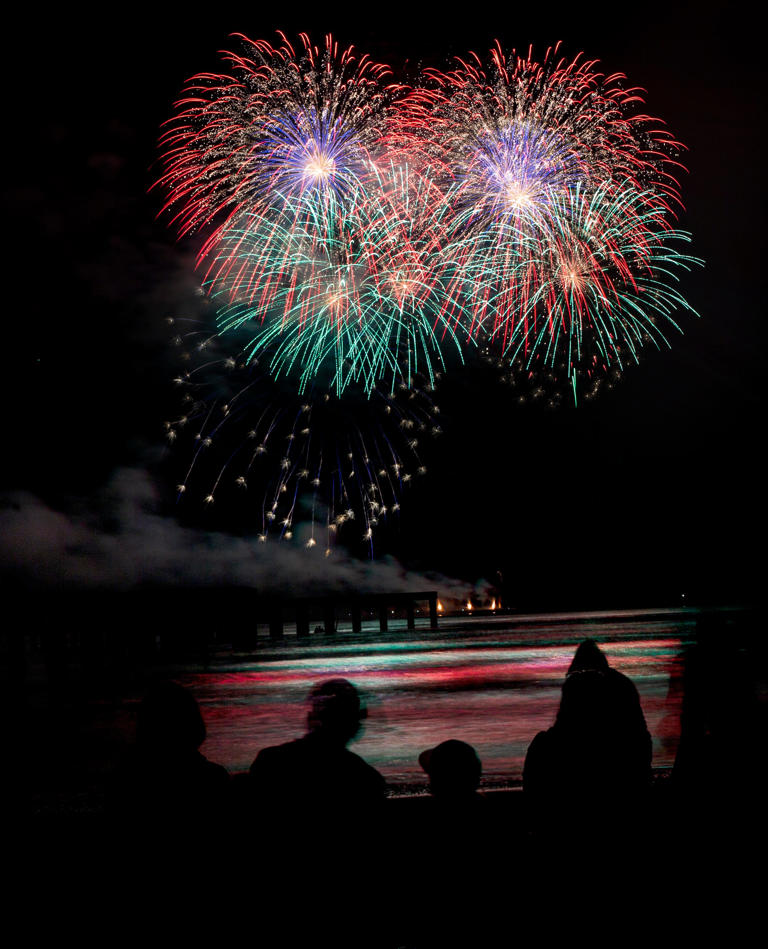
(652, 490)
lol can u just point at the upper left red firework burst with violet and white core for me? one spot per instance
(278, 127)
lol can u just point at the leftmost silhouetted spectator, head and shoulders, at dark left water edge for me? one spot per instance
(166, 778)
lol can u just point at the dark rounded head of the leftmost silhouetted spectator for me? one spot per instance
(169, 720)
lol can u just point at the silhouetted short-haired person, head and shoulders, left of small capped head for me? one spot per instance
(317, 773)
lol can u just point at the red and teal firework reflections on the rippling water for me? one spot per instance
(484, 681)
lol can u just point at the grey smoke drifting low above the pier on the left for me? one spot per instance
(118, 540)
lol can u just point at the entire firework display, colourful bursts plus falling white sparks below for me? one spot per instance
(358, 236)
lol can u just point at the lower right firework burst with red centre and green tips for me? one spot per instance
(607, 282)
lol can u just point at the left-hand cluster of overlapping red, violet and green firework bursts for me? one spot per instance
(325, 255)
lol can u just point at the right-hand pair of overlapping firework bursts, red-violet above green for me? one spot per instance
(539, 162)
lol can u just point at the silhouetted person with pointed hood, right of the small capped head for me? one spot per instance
(595, 761)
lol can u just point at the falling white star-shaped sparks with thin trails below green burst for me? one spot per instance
(337, 466)
